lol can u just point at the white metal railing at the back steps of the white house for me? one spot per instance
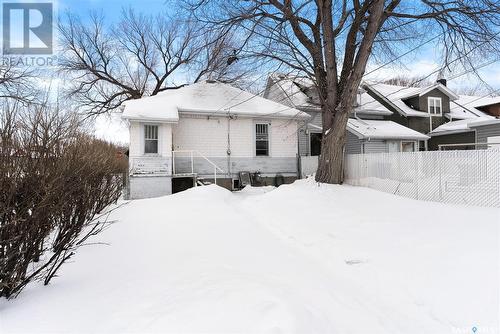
(183, 162)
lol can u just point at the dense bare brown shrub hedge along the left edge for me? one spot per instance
(56, 184)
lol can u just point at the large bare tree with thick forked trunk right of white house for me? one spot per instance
(332, 42)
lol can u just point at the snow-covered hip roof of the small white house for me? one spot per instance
(207, 98)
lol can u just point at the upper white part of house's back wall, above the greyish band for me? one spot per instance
(210, 136)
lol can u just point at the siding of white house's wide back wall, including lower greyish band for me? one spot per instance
(210, 138)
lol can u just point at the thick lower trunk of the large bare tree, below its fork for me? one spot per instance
(331, 160)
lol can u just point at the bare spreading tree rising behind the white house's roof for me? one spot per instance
(140, 56)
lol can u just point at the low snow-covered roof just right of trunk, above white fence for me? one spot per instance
(375, 129)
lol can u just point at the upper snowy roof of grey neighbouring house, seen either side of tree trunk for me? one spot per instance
(300, 92)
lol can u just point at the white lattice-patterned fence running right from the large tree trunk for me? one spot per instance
(461, 177)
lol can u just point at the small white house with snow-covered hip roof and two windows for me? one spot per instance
(208, 131)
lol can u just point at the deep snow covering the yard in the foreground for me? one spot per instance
(302, 258)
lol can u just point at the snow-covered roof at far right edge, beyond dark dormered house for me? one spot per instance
(466, 106)
